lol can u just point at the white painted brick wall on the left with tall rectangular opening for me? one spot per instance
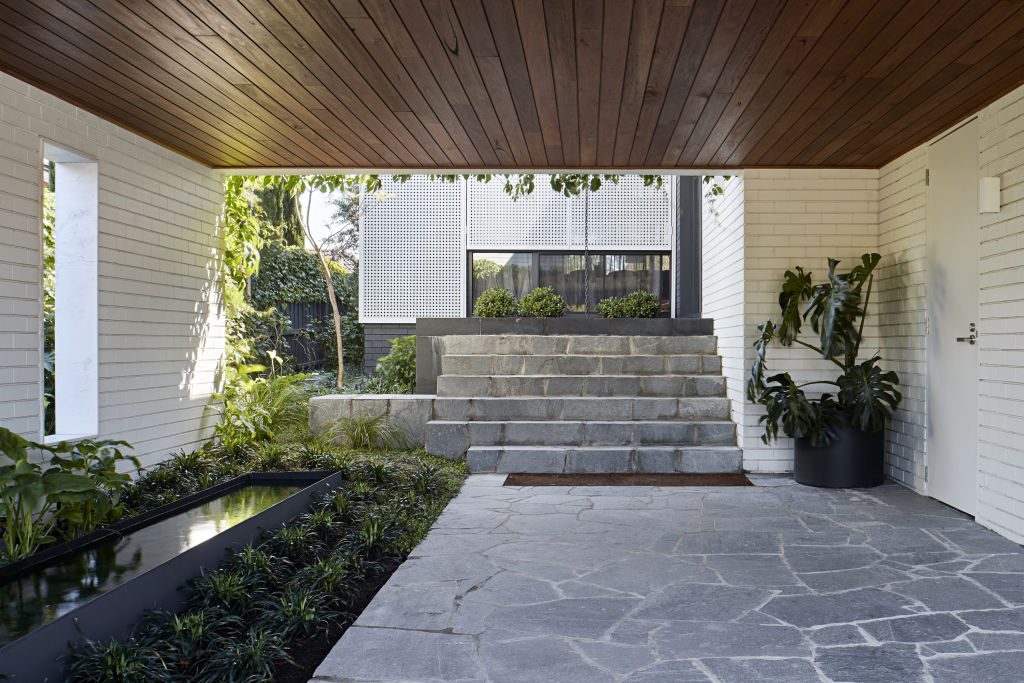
(161, 316)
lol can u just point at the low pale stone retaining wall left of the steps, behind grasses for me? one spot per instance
(410, 413)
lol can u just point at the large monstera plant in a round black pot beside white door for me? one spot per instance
(840, 439)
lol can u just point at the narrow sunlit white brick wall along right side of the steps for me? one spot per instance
(722, 286)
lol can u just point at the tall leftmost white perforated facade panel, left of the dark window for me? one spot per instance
(413, 253)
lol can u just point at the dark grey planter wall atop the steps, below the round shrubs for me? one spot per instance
(430, 332)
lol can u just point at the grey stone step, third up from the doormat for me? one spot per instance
(582, 408)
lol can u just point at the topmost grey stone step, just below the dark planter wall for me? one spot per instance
(580, 345)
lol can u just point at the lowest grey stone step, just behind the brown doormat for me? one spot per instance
(605, 459)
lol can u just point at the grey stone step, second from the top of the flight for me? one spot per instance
(518, 364)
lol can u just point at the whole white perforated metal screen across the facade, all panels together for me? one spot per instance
(414, 241)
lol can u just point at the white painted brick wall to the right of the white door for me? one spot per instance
(1001, 390)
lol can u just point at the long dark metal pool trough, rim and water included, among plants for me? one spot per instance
(100, 585)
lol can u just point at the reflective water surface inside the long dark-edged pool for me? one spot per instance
(50, 593)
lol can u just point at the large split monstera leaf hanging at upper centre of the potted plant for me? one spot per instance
(834, 311)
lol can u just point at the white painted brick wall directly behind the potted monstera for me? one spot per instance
(800, 218)
